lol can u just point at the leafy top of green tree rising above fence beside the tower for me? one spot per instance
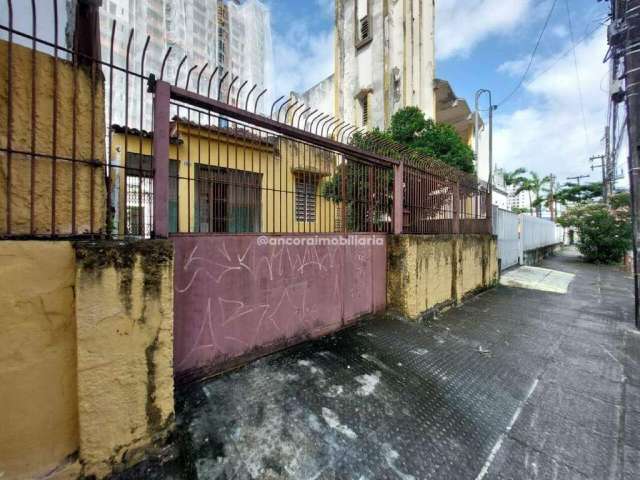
(409, 127)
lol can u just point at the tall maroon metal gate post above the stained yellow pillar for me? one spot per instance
(161, 134)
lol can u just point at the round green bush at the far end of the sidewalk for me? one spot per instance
(604, 231)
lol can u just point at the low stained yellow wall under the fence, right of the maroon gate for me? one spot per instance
(427, 272)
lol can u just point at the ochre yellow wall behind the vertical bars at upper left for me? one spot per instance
(87, 146)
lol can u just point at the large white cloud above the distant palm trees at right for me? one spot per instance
(548, 136)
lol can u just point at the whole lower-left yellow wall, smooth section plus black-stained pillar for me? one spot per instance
(86, 377)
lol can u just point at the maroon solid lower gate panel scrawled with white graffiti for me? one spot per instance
(236, 299)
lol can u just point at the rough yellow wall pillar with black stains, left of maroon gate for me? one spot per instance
(124, 307)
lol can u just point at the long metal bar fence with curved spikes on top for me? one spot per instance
(84, 152)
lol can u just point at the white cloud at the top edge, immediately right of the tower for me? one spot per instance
(462, 24)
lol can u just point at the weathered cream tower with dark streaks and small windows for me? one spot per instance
(384, 61)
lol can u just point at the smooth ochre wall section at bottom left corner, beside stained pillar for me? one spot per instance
(38, 383)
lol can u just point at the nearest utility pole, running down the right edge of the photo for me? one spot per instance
(624, 36)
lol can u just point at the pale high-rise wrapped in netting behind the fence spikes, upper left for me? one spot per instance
(233, 35)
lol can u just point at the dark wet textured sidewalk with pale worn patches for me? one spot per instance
(515, 384)
